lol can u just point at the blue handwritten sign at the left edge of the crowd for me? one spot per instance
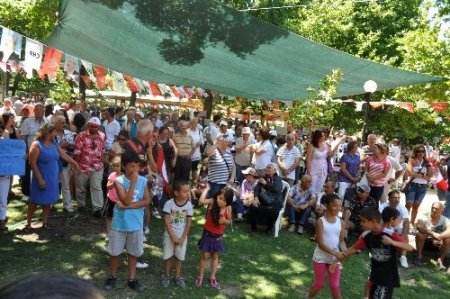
(12, 157)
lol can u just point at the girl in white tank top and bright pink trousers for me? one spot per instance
(329, 237)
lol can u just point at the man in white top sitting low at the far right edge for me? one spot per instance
(434, 233)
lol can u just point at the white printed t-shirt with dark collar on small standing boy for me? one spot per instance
(178, 215)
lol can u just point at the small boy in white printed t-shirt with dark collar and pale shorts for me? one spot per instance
(178, 214)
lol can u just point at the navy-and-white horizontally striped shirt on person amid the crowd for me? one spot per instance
(220, 166)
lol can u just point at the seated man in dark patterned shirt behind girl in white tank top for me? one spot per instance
(351, 214)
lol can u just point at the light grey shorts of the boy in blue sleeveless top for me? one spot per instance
(133, 242)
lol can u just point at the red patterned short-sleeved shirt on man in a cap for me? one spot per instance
(91, 149)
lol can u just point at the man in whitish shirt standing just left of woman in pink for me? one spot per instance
(288, 158)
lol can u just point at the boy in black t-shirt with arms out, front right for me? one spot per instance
(382, 244)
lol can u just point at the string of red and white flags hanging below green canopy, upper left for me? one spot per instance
(21, 54)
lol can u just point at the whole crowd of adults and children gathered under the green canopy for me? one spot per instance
(133, 164)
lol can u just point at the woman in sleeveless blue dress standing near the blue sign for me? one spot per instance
(44, 156)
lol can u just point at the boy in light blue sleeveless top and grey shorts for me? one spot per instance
(128, 217)
